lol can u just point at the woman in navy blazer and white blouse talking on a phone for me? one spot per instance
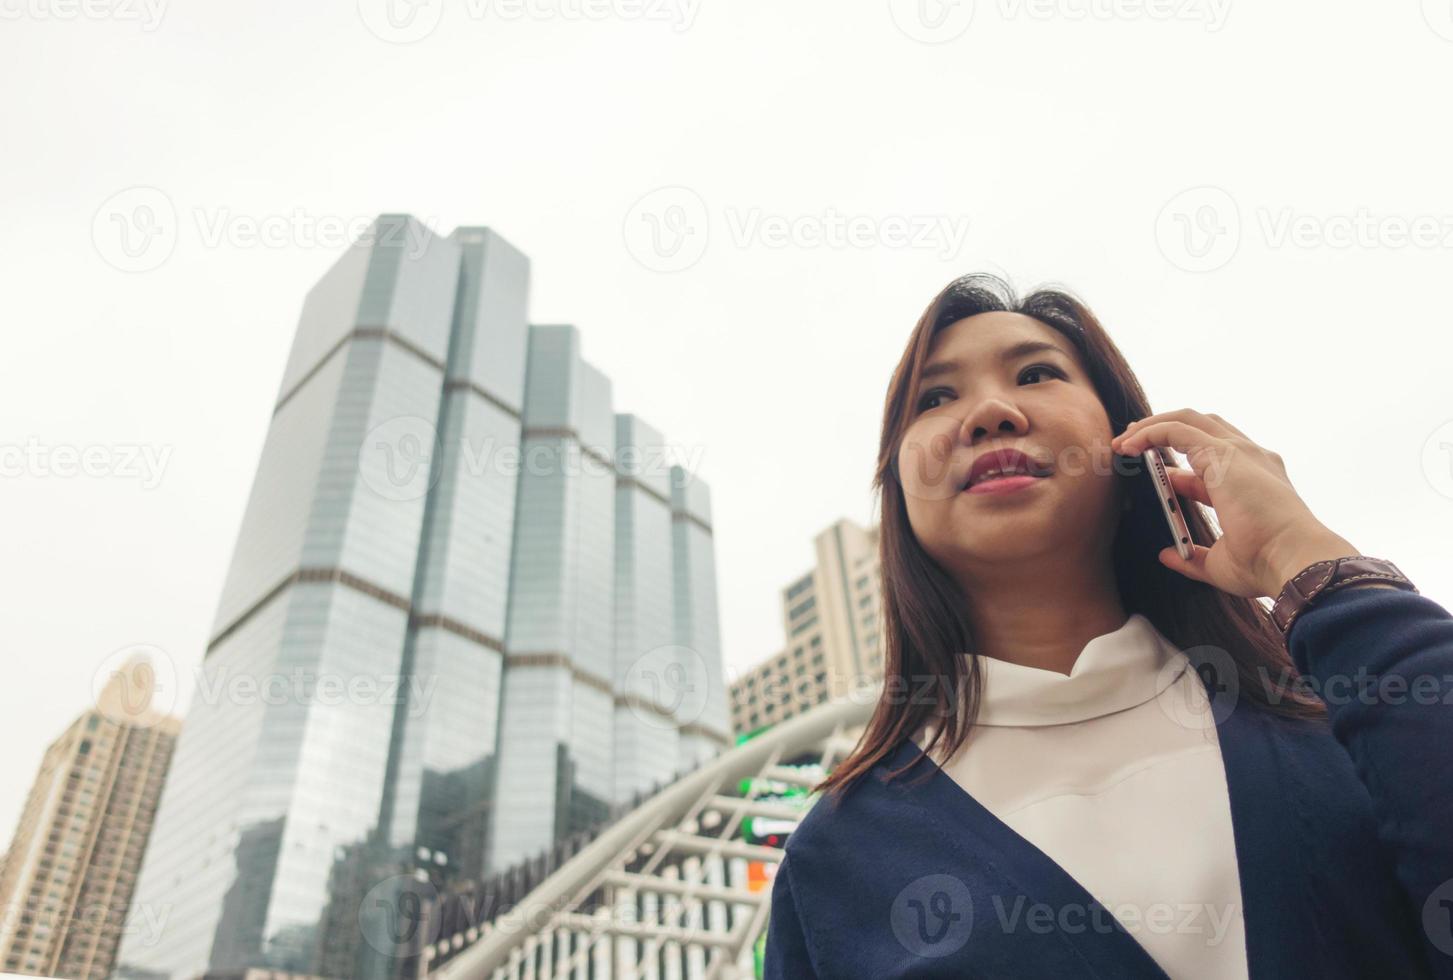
(1092, 757)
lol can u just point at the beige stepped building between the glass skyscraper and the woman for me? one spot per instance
(833, 620)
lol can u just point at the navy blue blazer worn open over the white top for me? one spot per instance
(1343, 832)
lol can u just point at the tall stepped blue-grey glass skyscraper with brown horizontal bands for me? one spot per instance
(432, 542)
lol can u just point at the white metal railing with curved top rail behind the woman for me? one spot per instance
(678, 889)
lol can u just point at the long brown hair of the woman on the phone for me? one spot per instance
(925, 619)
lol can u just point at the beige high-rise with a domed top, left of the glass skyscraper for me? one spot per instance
(68, 883)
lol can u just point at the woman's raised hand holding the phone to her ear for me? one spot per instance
(1268, 531)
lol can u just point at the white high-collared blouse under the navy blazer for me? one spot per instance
(1115, 773)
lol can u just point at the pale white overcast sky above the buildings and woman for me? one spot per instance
(1059, 139)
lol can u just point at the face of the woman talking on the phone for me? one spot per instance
(980, 395)
